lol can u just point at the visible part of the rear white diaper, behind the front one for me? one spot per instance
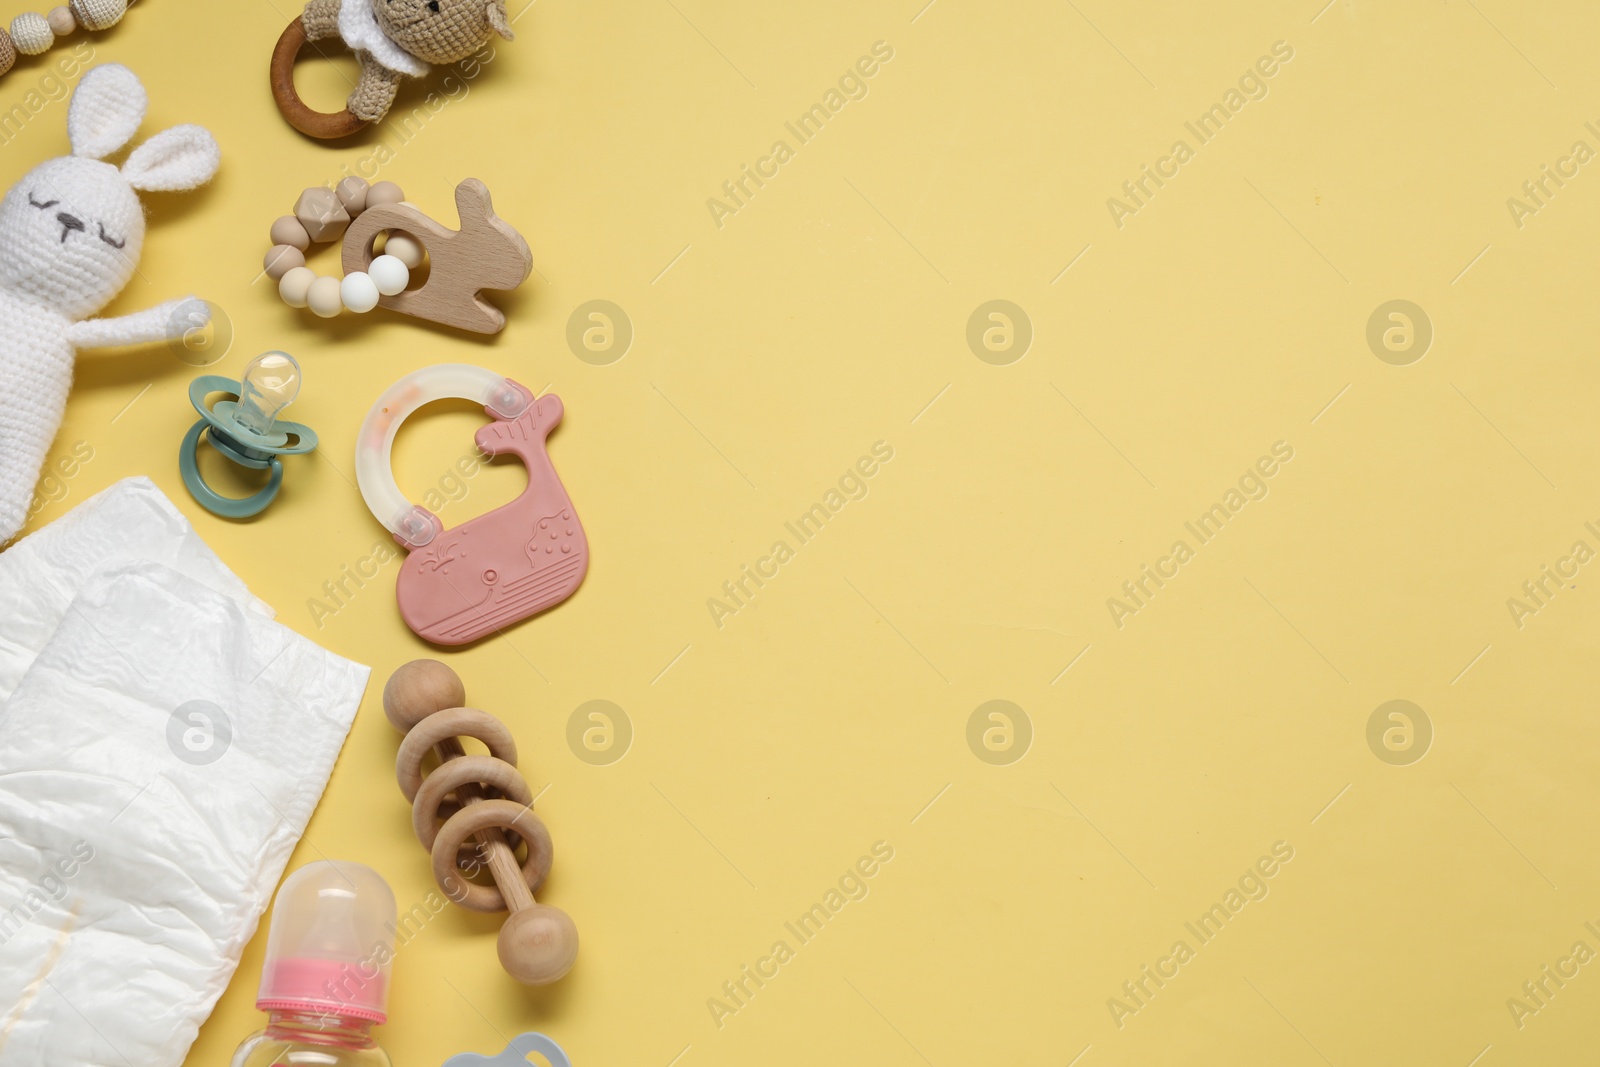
(44, 572)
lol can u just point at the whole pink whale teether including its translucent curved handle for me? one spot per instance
(498, 569)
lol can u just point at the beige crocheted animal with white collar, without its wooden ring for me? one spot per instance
(399, 39)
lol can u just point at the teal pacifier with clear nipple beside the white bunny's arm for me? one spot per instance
(247, 431)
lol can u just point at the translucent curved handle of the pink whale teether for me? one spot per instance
(412, 524)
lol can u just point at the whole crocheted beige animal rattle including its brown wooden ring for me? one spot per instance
(393, 39)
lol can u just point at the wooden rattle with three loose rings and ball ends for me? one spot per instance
(479, 797)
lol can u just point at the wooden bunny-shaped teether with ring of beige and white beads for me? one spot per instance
(486, 254)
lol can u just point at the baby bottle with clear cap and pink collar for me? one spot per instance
(326, 980)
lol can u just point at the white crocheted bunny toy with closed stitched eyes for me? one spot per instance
(71, 234)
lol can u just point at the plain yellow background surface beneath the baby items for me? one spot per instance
(775, 351)
